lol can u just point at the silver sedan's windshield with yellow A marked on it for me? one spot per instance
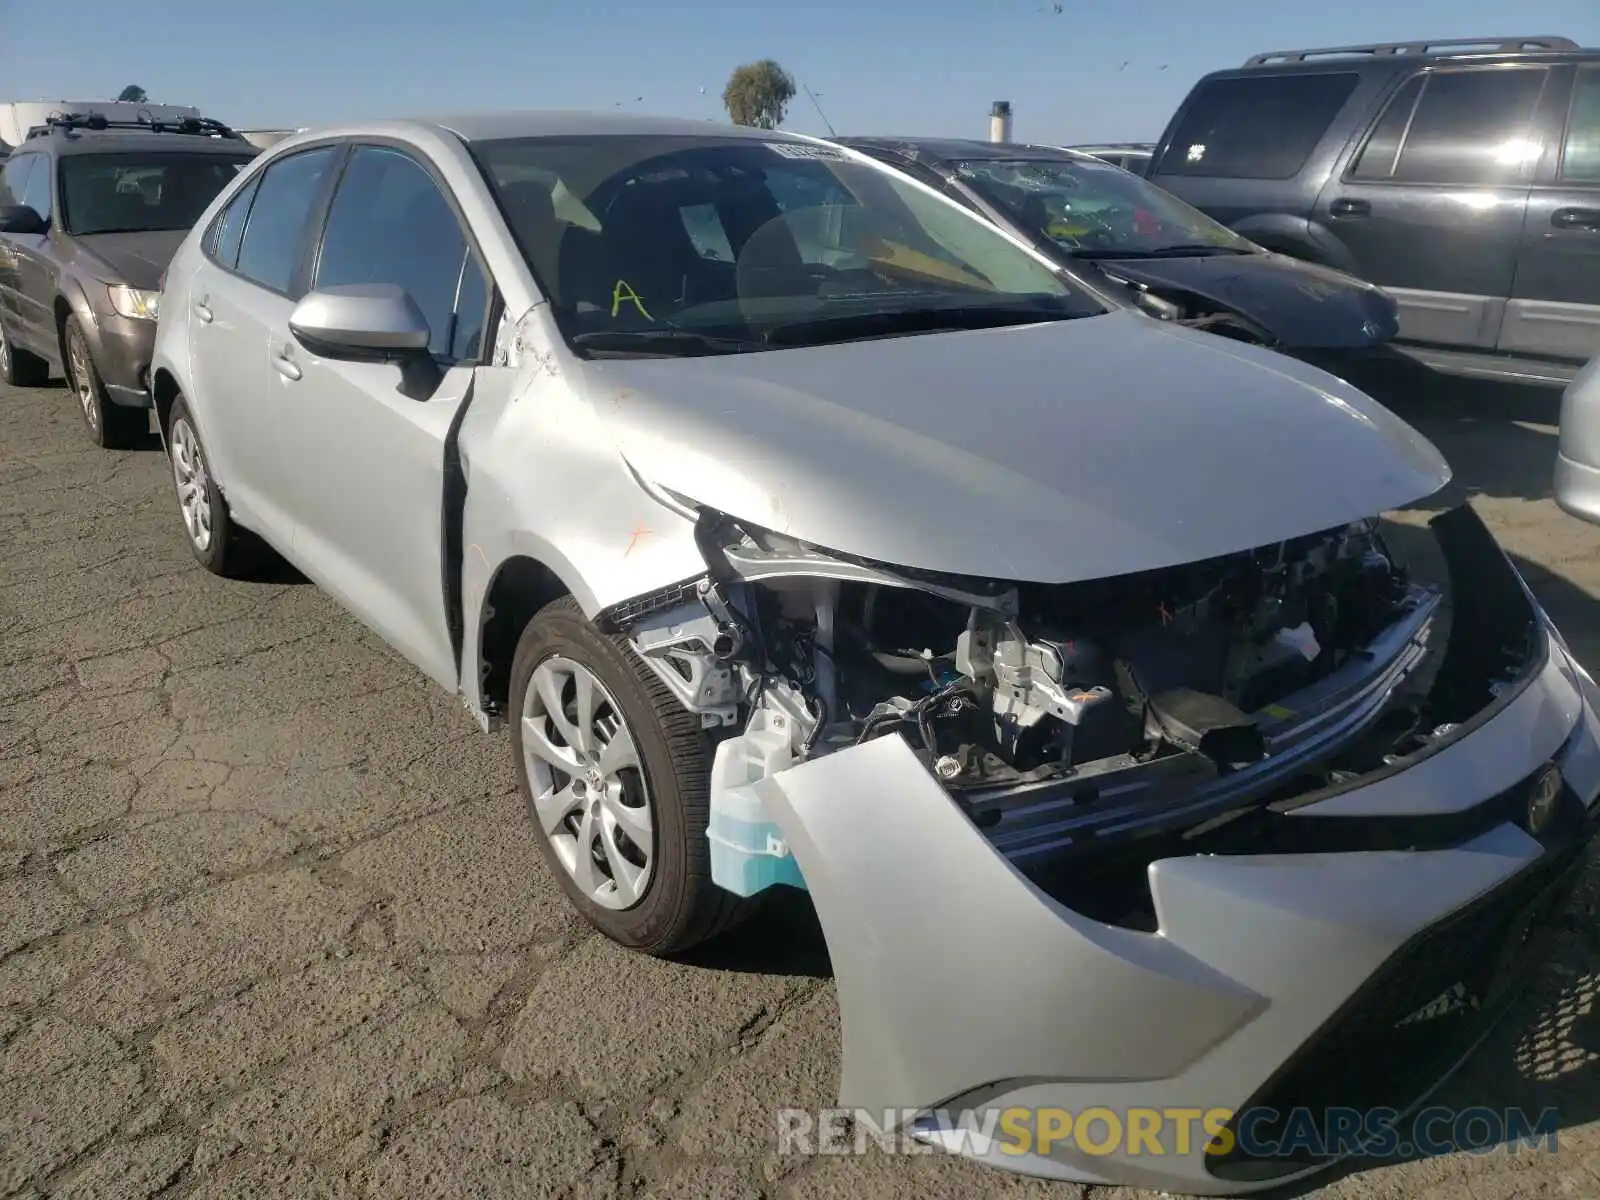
(710, 246)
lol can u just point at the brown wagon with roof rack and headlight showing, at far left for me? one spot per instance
(90, 214)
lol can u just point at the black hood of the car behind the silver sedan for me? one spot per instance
(1303, 306)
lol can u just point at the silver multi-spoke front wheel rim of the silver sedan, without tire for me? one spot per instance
(590, 790)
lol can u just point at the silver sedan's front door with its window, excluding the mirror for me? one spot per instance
(367, 466)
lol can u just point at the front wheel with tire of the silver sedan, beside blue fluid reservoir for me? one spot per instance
(676, 906)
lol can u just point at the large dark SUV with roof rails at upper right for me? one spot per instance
(1462, 177)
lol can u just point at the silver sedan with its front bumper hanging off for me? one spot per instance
(804, 529)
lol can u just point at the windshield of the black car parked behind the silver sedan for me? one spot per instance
(1095, 207)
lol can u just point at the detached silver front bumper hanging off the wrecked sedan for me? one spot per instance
(1273, 980)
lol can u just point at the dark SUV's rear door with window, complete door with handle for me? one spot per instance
(1433, 202)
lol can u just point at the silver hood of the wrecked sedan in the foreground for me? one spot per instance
(1047, 454)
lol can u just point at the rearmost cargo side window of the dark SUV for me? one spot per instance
(1255, 127)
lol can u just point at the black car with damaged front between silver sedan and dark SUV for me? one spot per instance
(1170, 258)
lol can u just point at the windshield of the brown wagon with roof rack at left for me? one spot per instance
(142, 193)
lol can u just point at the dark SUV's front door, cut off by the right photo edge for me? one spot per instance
(1556, 302)
